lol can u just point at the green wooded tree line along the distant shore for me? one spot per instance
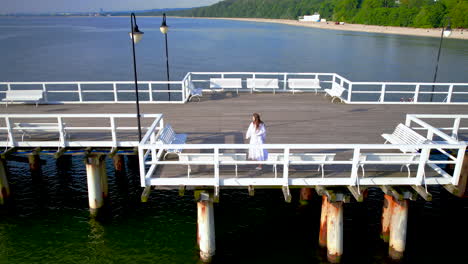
(404, 13)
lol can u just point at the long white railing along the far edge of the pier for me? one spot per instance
(156, 91)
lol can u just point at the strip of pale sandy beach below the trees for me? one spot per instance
(423, 32)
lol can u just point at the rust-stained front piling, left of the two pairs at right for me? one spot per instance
(335, 232)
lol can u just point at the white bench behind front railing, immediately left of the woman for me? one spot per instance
(208, 158)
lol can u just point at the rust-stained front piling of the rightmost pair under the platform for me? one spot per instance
(398, 227)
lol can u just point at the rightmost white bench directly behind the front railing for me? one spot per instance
(391, 158)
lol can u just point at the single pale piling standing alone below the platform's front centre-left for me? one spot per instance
(206, 227)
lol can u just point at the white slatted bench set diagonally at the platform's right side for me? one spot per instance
(403, 135)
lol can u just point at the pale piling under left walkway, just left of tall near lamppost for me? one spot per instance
(97, 182)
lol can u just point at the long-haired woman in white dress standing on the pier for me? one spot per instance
(257, 134)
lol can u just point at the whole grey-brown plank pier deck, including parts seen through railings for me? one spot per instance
(222, 118)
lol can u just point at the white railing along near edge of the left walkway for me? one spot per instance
(69, 130)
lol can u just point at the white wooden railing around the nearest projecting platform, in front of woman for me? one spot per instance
(150, 153)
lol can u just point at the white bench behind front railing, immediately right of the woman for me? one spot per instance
(301, 159)
